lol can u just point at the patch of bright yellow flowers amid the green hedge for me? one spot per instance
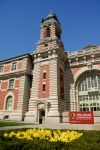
(50, 135)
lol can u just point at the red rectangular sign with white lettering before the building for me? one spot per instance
(81, 117)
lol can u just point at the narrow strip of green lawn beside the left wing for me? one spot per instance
(12, 123)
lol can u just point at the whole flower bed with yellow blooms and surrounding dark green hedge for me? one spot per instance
(43, 139)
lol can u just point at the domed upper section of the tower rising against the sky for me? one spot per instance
(50, 32)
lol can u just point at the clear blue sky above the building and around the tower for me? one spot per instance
(20, 20)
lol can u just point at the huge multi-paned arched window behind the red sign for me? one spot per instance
(88, 92)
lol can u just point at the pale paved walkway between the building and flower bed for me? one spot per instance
(57, 126)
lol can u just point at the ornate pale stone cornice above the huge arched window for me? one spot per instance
(90, 54)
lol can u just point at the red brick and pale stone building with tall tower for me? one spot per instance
(45, 85)
